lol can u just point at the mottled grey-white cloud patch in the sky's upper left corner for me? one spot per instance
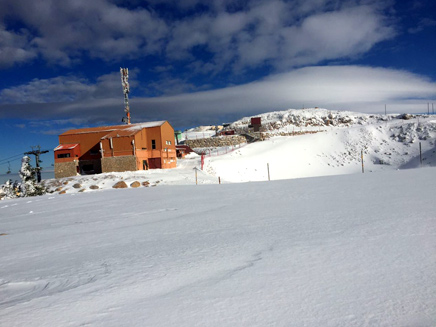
(71, 29)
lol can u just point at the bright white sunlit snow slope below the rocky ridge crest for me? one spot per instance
(333, 152)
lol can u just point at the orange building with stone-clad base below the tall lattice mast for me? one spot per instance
(115, 148)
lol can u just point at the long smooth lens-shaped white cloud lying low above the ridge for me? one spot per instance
(357, 88)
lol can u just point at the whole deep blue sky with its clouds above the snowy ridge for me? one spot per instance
(195, 62)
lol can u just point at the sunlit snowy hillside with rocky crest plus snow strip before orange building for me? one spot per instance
(388, 143)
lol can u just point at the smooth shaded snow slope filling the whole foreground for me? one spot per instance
(351, 250)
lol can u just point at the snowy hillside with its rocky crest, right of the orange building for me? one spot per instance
(388, 143)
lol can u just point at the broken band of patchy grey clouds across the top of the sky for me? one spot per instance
(233, 35)
